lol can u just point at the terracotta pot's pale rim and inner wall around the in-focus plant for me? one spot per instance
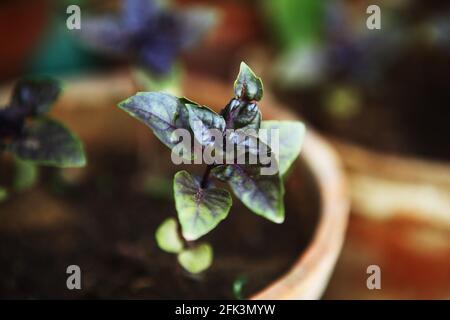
(88, 108)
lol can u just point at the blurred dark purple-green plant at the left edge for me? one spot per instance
(33, 137)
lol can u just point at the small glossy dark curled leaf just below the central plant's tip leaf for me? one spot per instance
(242, 114)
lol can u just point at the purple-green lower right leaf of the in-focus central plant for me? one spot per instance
(263, 194)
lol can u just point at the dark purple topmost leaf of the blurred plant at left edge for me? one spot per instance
(36, 93)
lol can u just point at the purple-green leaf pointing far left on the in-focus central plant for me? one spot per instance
(162, 112)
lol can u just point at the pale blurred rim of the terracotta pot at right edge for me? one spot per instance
(387, 186)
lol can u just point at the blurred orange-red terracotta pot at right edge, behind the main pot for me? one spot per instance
(401, 221)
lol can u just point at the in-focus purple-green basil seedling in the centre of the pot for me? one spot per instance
(200, 204)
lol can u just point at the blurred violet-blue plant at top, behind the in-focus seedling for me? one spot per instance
(147, 33)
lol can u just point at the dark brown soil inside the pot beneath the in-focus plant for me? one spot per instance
(105, 224)
